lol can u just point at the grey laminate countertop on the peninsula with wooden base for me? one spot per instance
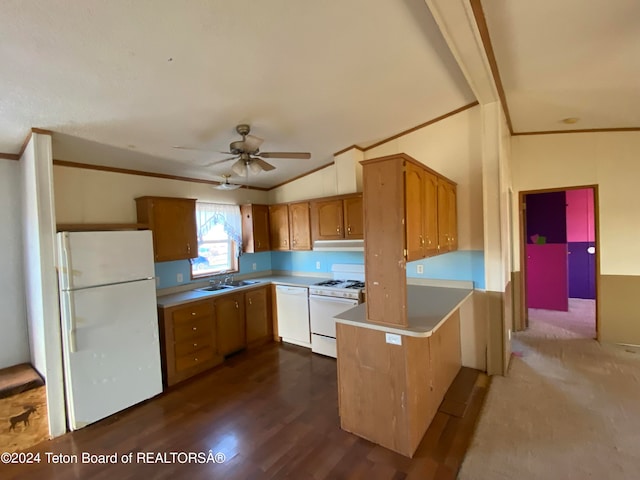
(428, 308)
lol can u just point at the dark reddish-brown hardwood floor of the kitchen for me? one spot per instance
(273, 413)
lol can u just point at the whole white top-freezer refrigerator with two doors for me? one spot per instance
(111, 350)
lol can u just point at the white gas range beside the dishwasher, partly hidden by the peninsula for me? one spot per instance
(330, 298)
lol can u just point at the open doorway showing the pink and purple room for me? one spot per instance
(560, 259)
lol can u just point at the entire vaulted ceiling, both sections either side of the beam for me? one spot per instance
(120, 82)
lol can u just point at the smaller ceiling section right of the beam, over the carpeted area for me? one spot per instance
(568, 58)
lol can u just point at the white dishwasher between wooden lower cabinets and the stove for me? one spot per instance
(292, 304)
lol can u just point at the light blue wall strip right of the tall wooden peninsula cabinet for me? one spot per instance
(460, 265)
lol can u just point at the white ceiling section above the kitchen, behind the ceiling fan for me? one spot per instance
(145, 75)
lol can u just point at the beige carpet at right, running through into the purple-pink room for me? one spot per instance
(569, 408)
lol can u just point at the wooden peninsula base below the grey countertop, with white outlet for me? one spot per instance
(389, 394)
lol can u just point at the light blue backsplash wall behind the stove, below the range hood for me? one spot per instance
(307, 261)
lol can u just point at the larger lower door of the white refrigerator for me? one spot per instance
(111, 349)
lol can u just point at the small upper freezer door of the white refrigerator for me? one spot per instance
(87, 259)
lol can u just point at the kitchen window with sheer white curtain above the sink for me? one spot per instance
(219, 239)
